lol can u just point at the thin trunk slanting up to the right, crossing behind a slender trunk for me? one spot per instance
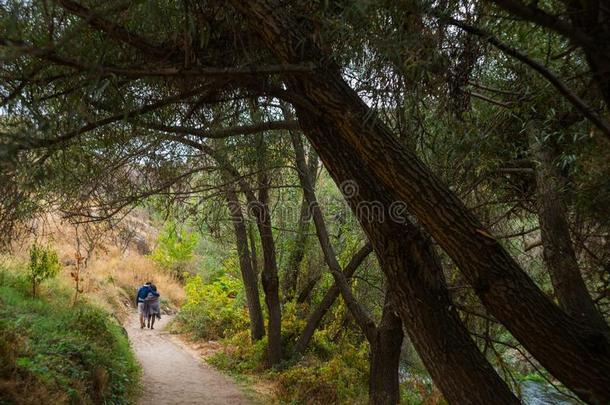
(329, 298)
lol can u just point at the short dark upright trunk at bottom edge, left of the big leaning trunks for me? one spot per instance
(384, 385)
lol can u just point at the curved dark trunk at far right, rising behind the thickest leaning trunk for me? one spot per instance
(558, 251)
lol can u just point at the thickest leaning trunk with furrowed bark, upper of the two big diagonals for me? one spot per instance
(575, 353)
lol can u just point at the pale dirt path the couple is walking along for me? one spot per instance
(173, 375)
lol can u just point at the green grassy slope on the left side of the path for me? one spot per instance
(53, 352)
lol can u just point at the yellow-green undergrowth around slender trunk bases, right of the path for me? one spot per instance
(334, 369)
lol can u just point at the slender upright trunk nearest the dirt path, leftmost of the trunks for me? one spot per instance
(248, 274)
